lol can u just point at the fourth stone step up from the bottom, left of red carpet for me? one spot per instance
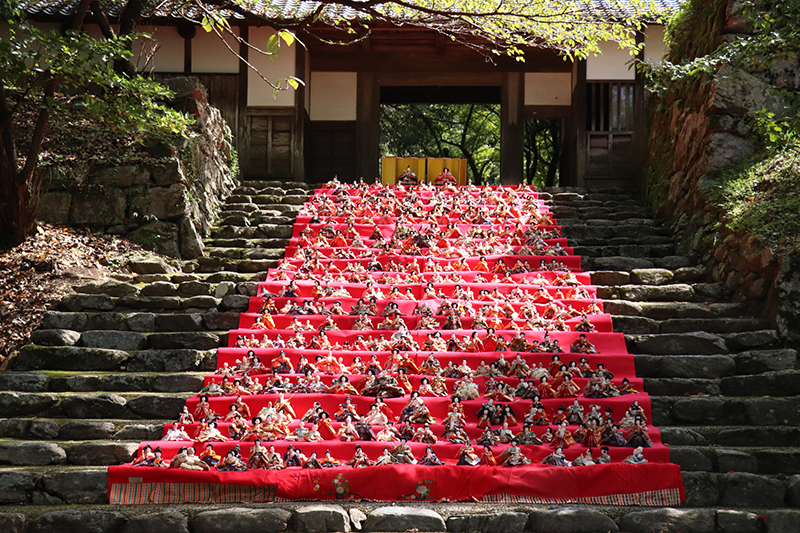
(67, 429)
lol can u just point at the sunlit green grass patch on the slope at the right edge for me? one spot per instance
(762, 196)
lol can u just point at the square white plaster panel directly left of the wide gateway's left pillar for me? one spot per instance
(333, 95)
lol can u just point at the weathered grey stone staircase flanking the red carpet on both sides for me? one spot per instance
(119, 358)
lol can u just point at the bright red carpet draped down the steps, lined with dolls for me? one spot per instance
(492, 258)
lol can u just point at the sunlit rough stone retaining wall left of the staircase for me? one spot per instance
(166, 203)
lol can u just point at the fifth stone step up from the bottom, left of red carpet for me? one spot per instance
(99, 406)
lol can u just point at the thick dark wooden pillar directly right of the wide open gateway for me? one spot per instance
(512, 128)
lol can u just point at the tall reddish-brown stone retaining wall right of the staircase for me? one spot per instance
(700, 127)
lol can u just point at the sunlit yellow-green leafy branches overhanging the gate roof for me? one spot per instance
(494, 27)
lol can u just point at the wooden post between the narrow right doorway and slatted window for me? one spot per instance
(573, 158)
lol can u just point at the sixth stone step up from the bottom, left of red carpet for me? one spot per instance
(82, 381)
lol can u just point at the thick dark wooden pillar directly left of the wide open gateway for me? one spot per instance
(367, 126)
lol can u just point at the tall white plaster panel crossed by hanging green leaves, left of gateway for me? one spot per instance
(259, 93)
